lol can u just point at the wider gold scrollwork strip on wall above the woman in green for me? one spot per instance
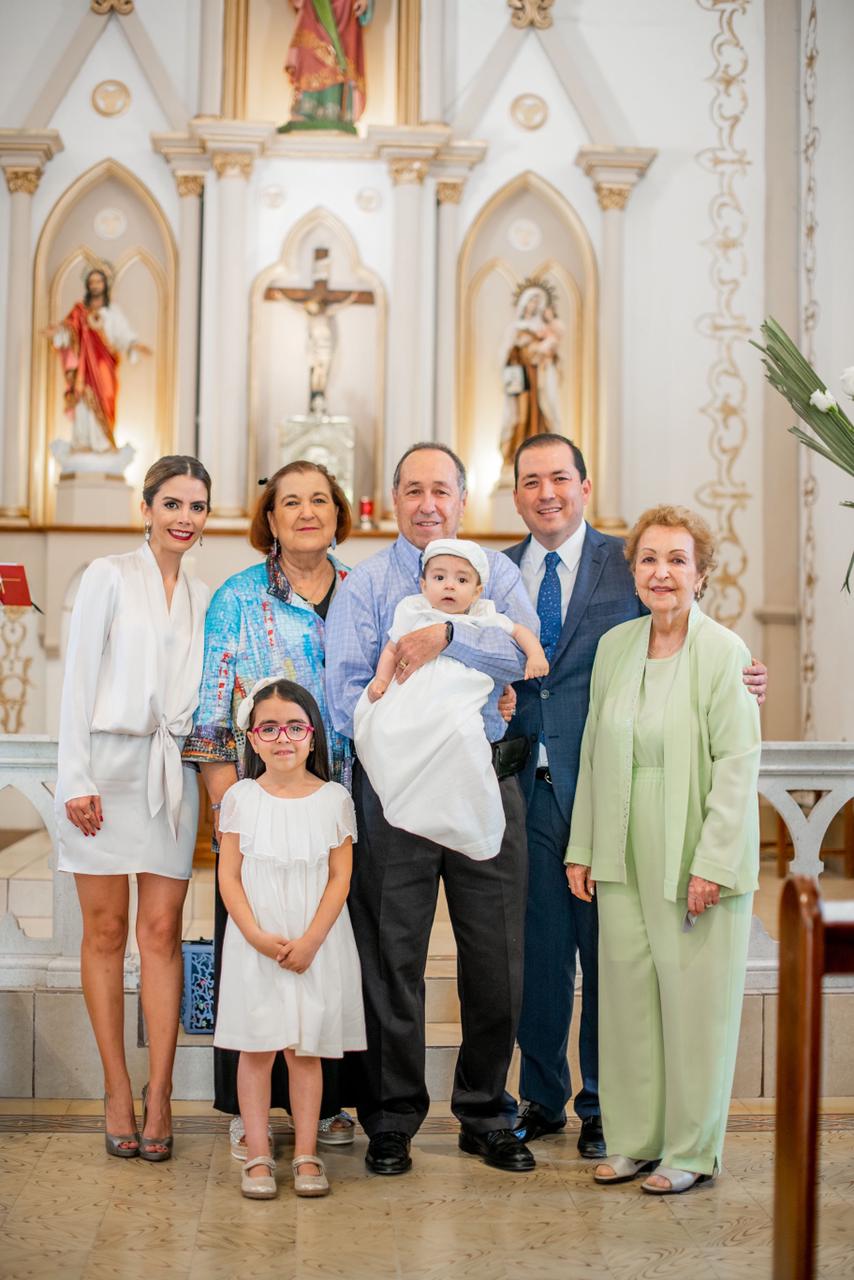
(727, 327)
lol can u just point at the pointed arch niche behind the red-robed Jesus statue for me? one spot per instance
(106, 199)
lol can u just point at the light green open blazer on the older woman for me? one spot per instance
(713, 744)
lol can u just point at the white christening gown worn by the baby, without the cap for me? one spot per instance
(423, 744)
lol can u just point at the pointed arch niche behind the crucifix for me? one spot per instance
(280, 353)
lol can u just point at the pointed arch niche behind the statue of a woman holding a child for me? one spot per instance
(526, 230)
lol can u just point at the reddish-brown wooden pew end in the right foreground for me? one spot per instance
(816, 939)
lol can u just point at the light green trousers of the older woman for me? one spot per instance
(670, 1004)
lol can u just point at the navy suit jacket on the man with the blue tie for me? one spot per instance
(558, 707)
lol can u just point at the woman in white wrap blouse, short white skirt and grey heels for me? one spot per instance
(125, 802)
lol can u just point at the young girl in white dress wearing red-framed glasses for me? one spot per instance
(291, 979)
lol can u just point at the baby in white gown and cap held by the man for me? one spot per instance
(423, 743)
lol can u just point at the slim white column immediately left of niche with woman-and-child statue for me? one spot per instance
(449, 195)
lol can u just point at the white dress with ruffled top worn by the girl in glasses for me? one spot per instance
(286, 868)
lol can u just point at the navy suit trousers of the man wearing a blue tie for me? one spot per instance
(558, 927)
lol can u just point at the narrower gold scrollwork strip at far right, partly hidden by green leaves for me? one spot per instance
(810, 322)
